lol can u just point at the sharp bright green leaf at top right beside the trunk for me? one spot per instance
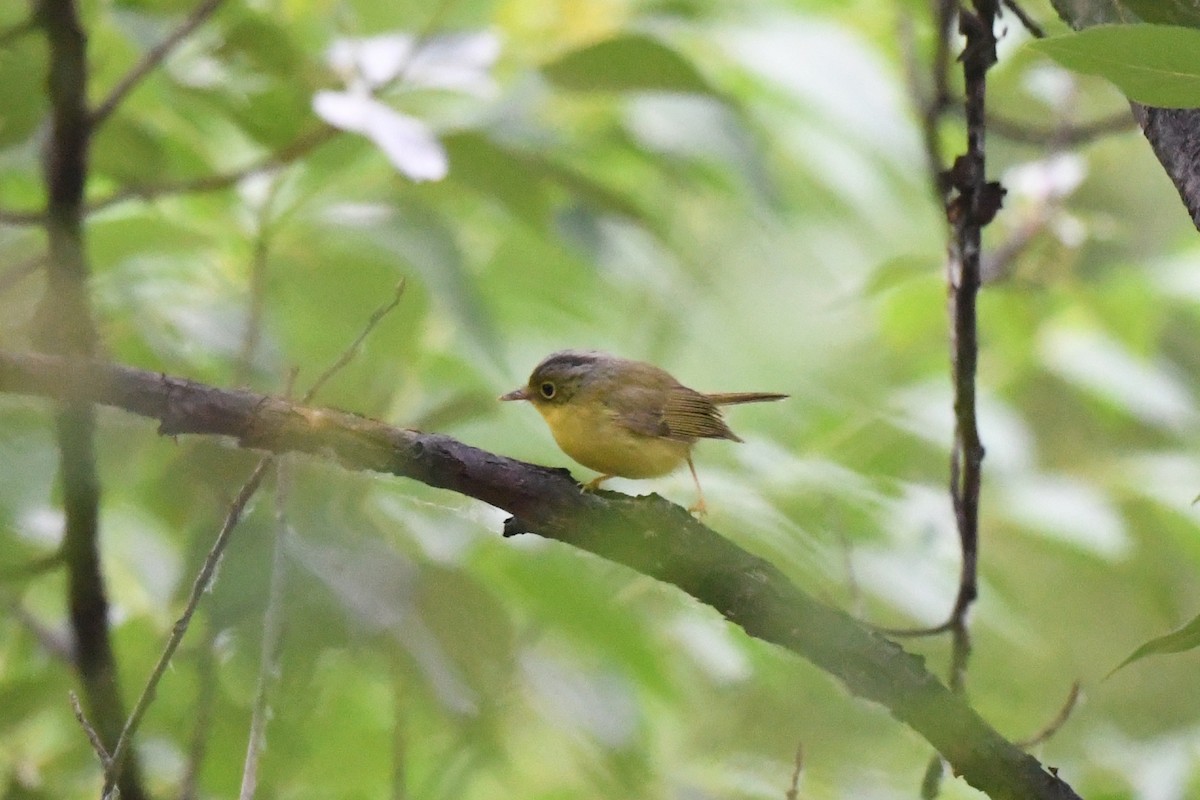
(1156, 65)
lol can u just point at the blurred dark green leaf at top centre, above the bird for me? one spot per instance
(627, 64)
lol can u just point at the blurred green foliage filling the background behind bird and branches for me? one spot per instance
(736, 193)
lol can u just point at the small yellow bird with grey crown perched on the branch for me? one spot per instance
(623, 418)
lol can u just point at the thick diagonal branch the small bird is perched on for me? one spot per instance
(645, 534)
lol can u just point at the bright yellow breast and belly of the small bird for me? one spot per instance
(590, 435)
